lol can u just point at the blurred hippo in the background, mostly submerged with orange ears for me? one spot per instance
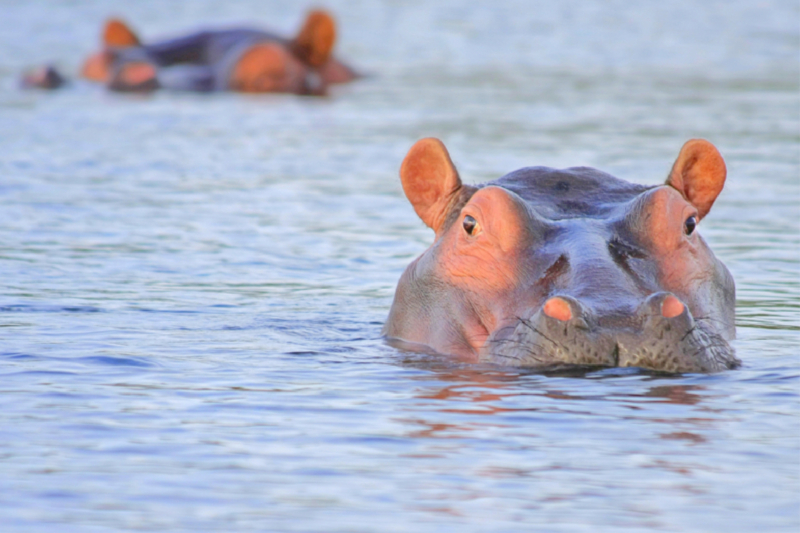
(230, 59)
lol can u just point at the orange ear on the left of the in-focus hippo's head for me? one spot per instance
(430, 181)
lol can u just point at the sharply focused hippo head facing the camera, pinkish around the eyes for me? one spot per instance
(547, 267)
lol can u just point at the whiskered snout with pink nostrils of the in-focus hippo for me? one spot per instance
(660, 334)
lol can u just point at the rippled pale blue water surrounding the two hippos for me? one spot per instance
(193, 286)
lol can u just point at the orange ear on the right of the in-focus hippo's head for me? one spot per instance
(699, 174)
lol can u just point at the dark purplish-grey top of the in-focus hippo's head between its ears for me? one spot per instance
(577, 192)
